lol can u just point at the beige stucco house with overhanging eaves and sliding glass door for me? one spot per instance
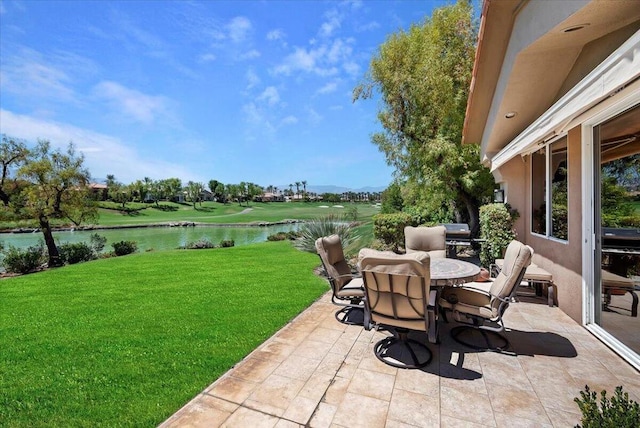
(555, 107)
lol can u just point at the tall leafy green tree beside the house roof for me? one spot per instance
(423, 77)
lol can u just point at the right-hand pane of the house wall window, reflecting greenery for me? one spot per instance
(559, 189)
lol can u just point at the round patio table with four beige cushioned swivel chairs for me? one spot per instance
(413, 292)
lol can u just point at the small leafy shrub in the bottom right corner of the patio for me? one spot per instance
(617, 412)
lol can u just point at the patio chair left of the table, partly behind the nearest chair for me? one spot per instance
(347, 287)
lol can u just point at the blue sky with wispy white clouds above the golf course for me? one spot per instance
(256, 91)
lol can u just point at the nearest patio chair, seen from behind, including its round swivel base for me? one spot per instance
(398, 299)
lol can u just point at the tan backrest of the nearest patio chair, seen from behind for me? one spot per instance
(397, 288)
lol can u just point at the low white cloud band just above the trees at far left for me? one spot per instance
(104, 154)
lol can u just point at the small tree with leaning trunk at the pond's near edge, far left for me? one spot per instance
(58, 189)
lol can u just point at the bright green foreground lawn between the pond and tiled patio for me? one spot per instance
(127, 341)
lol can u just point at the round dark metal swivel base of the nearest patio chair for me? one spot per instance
(401, 352)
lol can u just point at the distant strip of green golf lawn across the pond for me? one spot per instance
(214, 212)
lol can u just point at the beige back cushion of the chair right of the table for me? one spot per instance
(516, 259)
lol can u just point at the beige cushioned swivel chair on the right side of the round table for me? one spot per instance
(481, 306)
